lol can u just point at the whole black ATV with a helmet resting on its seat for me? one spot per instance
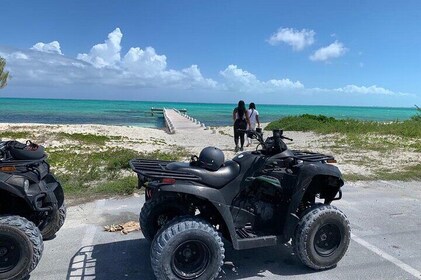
(261, 198)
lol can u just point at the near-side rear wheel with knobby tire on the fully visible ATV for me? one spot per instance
(187, 248)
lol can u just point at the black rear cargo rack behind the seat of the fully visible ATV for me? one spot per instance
(156, 169)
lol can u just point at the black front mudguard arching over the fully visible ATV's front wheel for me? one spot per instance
(306, 175)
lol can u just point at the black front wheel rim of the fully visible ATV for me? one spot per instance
(327, 240)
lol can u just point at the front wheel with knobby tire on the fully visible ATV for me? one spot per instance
(322, 237)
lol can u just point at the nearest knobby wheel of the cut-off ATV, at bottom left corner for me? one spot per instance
(21, 247)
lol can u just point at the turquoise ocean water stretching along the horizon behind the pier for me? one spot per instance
(138, 113)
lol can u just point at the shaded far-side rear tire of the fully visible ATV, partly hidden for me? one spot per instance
(157, 212)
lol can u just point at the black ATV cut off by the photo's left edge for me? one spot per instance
(31, 207)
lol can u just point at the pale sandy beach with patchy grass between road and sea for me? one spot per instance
(350, 161)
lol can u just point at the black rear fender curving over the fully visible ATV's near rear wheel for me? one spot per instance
(214, 196)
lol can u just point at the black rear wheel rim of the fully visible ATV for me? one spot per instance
(190, 259)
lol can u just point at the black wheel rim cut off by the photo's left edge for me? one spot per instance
(9, 253)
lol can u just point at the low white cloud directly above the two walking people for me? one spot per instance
(243, 81)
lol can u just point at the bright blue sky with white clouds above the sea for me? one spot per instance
(287, 52)
